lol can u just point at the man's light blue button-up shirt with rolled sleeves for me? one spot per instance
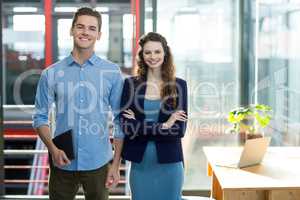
(83, 97)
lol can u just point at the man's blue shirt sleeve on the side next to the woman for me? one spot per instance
(115, 97)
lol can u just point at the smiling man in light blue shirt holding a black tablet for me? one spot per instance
(83, 88)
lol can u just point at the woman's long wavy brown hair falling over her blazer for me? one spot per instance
(168, 89)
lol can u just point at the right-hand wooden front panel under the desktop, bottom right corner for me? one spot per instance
(284, 194)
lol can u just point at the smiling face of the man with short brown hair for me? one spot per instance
(85, 32)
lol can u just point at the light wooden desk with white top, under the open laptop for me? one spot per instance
(276, 178)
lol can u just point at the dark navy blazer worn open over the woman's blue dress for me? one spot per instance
(138, 131)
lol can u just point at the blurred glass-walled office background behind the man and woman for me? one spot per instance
(231, 52)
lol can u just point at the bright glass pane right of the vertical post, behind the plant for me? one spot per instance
(277, 68)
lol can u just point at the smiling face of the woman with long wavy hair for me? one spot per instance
(153, 54)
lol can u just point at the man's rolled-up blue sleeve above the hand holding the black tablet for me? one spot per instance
(43, 101)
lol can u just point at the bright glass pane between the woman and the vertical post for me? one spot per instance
(203, 37)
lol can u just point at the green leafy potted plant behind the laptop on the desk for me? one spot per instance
(250, 120)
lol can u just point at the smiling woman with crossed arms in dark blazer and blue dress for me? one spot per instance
(153, 118)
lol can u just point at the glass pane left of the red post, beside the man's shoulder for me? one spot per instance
(23, 55)
